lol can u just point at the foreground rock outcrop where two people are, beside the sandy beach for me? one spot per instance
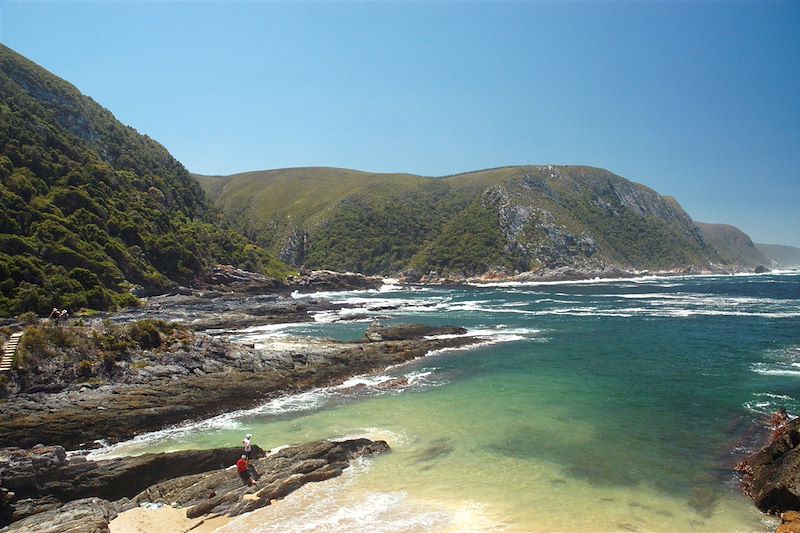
(43, 490)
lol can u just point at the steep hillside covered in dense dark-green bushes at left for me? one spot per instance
(89, 207)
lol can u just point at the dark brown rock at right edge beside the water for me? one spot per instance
(772, 475)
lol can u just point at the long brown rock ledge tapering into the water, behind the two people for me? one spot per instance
(202, 376)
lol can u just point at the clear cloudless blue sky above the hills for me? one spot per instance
(698, 100)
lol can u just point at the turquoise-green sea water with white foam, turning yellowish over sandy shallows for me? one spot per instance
(602, 406)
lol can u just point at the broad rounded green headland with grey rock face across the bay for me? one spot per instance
(528, 218)
